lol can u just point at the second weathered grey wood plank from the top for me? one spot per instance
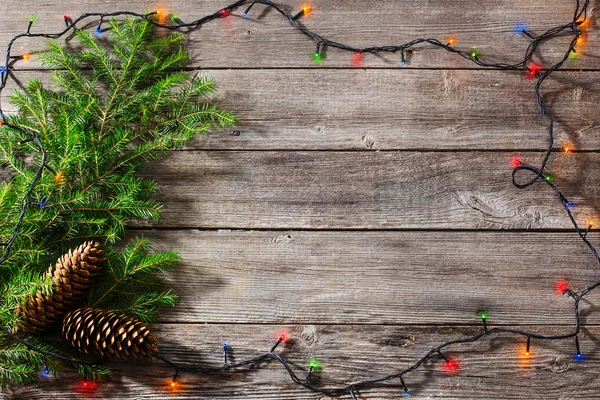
(397, 109)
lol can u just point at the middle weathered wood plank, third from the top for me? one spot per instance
(367, 190)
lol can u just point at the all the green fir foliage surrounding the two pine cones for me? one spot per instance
(120, 101)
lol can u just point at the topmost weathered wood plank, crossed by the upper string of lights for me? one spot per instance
(265, 39)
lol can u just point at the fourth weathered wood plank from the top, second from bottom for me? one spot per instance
(374, 277)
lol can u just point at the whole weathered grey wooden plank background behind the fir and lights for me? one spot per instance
(368, 209)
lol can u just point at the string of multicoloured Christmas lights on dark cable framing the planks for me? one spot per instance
(451, 364)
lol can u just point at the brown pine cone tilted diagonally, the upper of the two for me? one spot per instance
(72, 277)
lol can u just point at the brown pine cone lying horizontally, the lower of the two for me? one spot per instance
(103, 333)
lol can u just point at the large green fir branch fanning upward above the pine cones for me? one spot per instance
(99, 127)
